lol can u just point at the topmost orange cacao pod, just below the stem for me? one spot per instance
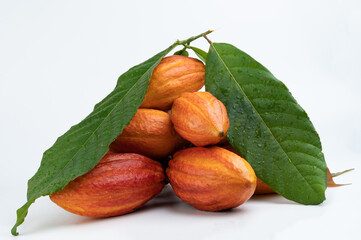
(173, 76)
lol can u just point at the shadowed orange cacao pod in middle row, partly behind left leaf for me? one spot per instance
(149, 133)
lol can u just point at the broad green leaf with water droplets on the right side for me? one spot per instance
(267, 126)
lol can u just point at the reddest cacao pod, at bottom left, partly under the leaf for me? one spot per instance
(118, 184)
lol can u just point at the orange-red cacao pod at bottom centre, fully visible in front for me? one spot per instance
(211, 179)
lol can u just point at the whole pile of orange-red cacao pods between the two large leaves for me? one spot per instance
(178, 134)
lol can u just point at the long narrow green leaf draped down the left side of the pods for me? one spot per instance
(83, 145)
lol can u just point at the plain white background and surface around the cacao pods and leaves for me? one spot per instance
(59, 58)
